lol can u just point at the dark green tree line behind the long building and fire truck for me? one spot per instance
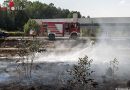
(25, 10)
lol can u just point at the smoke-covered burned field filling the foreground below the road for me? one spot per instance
(58, 66)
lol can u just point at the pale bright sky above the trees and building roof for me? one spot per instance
(94, 8)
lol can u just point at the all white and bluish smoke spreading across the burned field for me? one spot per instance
(49, 67)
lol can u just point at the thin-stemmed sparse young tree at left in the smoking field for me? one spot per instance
(27, 54)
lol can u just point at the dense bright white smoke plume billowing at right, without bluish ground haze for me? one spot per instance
(112, 43)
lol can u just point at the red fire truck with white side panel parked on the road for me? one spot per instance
(61, 29)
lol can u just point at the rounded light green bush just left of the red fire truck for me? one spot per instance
(31, 24)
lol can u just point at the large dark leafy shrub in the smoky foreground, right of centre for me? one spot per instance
(81, 74)
